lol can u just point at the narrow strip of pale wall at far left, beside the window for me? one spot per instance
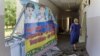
(4, 51)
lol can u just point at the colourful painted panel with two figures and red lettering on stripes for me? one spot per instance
(39, 28)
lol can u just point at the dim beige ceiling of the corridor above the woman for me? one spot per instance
(67, 5)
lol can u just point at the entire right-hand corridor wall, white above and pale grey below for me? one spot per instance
(93, 28)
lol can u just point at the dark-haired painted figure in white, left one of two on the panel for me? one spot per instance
(30, 13)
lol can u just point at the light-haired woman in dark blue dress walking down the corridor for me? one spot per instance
(74, 33)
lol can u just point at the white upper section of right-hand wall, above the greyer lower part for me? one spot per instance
(94, 9)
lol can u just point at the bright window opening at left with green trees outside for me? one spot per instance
(10, 16)
